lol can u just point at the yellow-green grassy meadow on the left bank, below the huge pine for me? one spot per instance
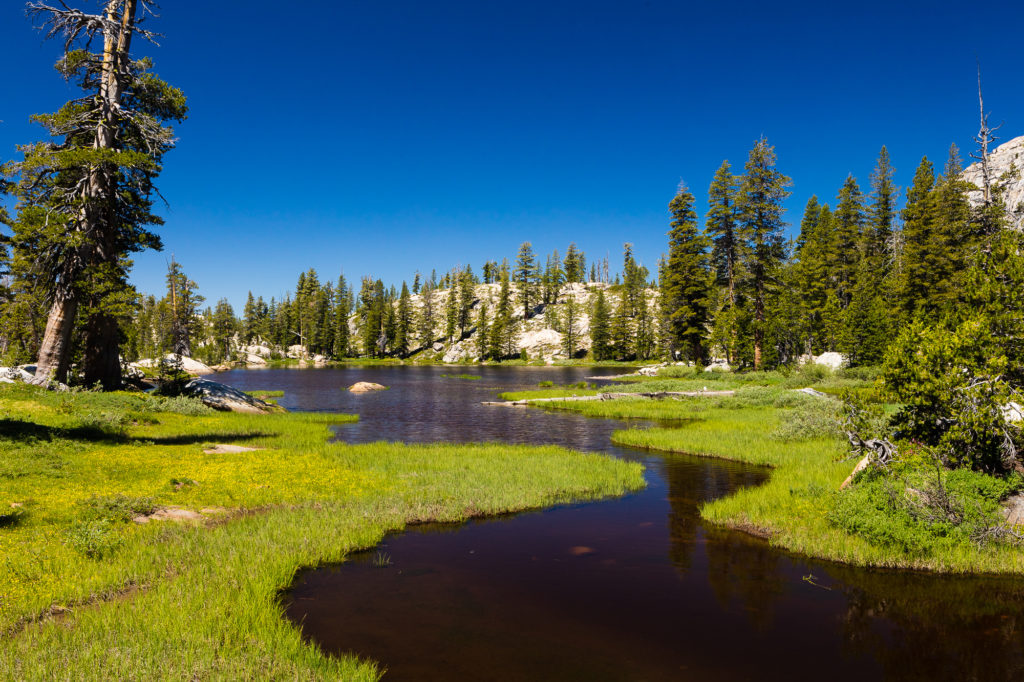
(83, 590)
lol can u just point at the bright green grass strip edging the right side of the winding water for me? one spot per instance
(770, 425)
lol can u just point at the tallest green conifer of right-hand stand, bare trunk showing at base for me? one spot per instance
(760, 205)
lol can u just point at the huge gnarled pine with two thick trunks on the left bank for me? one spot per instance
(86, 201)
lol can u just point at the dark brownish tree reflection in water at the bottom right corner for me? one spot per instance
(935, 628)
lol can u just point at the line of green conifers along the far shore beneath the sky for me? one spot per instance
(735, 288)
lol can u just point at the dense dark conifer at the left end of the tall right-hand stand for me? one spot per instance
(687, 281)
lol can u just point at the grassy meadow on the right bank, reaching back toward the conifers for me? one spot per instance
(800, 508)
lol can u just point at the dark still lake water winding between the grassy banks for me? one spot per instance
(636, 588)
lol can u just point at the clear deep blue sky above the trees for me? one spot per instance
(383, 138)
